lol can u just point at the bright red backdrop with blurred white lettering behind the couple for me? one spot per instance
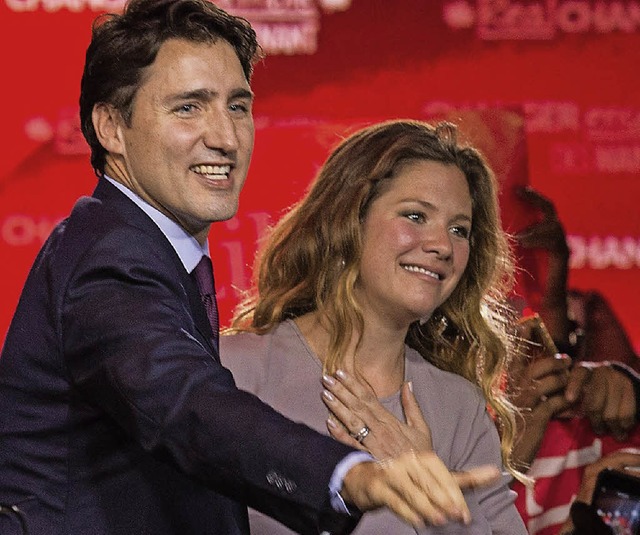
(570, 66)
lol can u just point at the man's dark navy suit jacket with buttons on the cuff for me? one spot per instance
(116, 416)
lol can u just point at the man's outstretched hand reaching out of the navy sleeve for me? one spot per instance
(417, 487)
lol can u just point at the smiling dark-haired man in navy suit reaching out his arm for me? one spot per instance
(116, 416)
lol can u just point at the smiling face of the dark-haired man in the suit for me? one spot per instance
(188, 148)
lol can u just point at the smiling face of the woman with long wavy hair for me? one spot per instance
(415, 242)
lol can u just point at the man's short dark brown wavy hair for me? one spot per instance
(122, 46)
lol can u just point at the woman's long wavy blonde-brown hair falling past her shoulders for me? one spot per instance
(311, 262)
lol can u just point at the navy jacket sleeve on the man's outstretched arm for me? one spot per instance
(132, 348)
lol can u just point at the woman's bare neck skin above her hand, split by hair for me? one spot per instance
(379, 359)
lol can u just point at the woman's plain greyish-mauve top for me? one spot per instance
(281, 369)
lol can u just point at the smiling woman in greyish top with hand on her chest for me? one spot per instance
(378, 313)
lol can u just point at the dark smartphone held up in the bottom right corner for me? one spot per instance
(616, 499)
